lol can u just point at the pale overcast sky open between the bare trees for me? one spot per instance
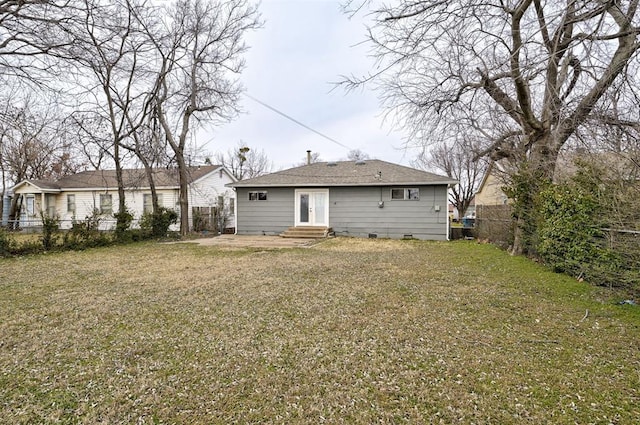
(304, 46)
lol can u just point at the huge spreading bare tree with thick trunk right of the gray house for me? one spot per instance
(525, 76)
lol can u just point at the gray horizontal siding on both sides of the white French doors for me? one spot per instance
(353, 211)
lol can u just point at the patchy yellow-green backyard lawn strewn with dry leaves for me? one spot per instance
(349, 331)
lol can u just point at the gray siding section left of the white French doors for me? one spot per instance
(270, 217)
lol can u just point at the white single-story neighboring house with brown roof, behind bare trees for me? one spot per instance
(75, 197)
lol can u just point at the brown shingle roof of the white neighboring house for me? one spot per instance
(133, 178)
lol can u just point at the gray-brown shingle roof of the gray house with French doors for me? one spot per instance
(372, 172)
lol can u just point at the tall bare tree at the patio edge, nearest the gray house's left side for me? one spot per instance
(200, 53)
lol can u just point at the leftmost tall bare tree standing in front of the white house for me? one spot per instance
(111, 48)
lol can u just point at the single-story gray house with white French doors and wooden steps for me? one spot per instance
(369, 198)
